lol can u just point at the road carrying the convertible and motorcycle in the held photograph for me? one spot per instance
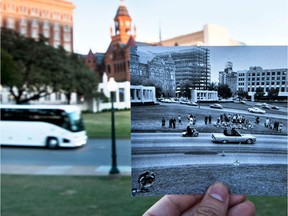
(170, 149)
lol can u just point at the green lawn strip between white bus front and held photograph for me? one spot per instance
(98, 125)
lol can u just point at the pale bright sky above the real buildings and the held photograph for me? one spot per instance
(254, 22)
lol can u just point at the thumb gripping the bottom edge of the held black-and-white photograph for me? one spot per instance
(215, 201)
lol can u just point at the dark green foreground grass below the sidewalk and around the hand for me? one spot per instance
(90, 195)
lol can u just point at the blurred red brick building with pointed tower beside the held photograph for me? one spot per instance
(115, 62)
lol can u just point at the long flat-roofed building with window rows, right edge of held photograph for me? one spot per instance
(257, 77)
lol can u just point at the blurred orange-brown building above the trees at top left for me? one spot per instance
(51, 18)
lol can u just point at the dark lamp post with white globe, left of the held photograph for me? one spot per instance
(112, 87)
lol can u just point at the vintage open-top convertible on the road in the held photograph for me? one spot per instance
(239, 138)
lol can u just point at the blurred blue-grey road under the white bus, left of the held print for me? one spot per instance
(97, 152)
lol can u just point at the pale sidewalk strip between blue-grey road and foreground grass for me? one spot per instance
(62, 170)
